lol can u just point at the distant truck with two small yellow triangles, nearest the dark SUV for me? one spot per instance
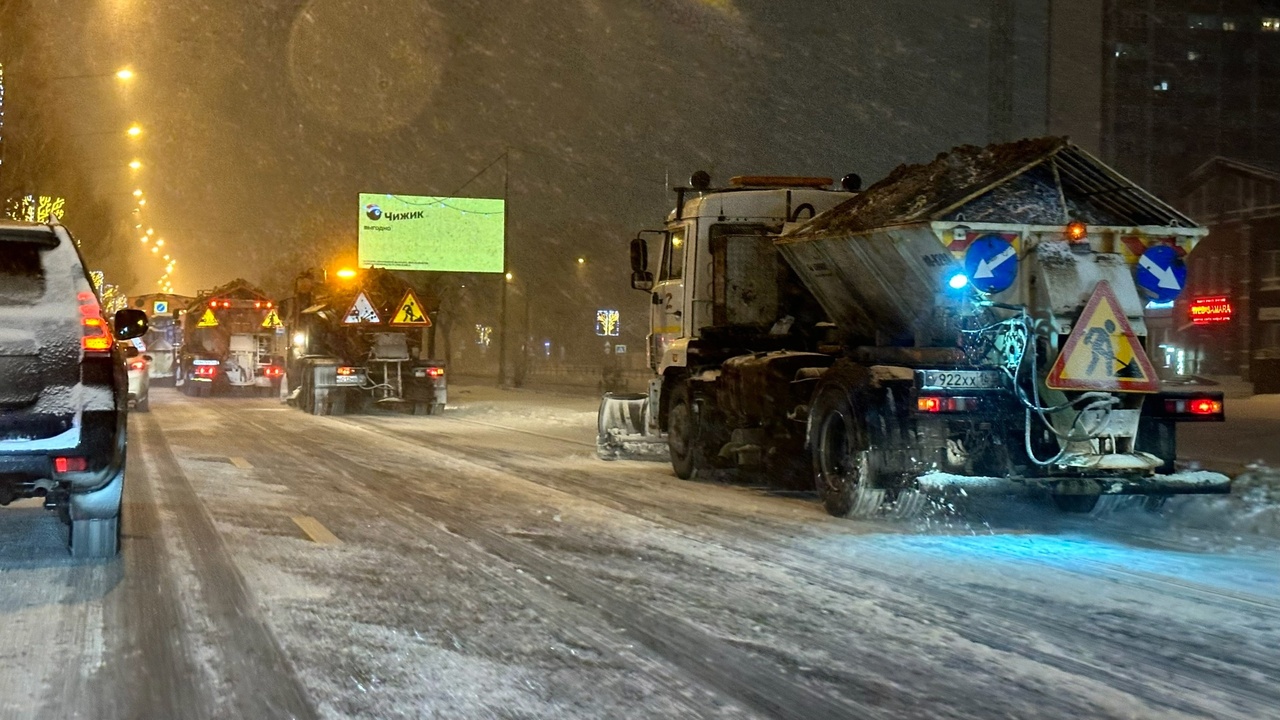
(231, 341)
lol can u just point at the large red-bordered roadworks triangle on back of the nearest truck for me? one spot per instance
(1103, 353)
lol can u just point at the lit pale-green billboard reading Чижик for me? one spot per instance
(410, 233)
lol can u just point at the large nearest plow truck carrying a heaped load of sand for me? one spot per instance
(971, 325)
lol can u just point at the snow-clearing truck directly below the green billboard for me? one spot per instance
(360, 341)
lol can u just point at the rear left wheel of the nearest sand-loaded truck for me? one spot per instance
(843, 464)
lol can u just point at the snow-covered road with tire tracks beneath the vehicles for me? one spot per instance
(486, 564)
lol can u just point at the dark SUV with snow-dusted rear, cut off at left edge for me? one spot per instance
(63, 386)
